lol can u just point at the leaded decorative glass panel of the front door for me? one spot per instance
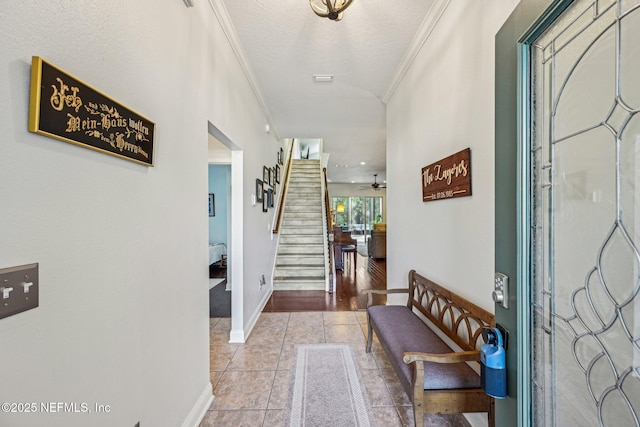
(585, 216)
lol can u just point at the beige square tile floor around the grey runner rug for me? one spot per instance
(250, 381)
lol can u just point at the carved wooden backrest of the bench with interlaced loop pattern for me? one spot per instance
(460, 319)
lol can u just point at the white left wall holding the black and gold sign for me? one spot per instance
(123, 316)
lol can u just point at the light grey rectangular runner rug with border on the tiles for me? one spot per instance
(326, 388)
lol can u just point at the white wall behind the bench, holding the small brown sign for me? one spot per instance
(445, 103)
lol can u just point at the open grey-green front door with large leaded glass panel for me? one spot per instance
(568, 211)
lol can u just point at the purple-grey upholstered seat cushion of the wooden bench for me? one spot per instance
(400, 330)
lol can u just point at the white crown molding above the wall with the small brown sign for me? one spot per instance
(422, 35)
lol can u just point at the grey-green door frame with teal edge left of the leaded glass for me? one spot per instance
(511, 194)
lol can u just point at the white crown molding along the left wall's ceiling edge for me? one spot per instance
(221, 13)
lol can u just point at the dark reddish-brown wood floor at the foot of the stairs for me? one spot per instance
(370, 274)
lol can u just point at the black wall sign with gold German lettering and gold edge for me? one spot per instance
(67, 109)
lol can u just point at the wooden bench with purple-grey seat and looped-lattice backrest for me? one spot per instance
(435, 377)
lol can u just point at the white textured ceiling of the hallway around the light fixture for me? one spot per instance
(286, 44)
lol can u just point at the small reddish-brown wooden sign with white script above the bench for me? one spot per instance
(447, 178)
